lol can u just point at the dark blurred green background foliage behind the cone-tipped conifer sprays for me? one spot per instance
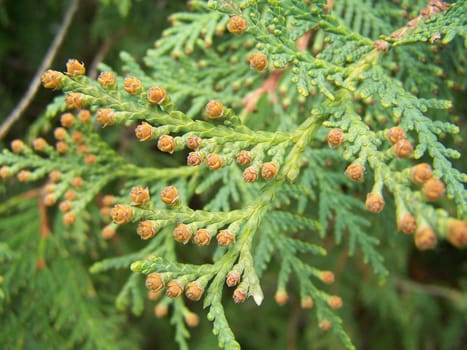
(421, 306)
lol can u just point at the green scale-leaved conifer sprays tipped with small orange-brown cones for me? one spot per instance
(260, 137)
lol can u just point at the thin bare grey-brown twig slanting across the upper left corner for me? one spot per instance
(46, 63)
